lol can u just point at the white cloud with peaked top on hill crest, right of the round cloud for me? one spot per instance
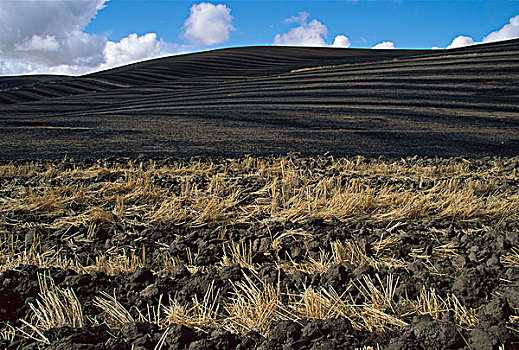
(306, 34)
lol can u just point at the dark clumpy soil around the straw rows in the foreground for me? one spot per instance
(476, 275)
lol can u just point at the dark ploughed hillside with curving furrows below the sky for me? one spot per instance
(271, 100)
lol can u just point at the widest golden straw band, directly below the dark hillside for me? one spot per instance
(250, 190)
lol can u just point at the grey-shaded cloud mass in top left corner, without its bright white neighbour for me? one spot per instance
(50, 32)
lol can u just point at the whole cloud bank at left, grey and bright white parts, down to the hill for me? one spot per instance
(48, 37)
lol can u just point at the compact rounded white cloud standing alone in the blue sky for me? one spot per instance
(208, 24)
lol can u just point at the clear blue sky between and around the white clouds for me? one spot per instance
(409, 24)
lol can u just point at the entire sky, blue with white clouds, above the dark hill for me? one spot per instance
(81, 36)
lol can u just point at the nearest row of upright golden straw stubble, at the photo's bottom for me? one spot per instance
(252, 306)
